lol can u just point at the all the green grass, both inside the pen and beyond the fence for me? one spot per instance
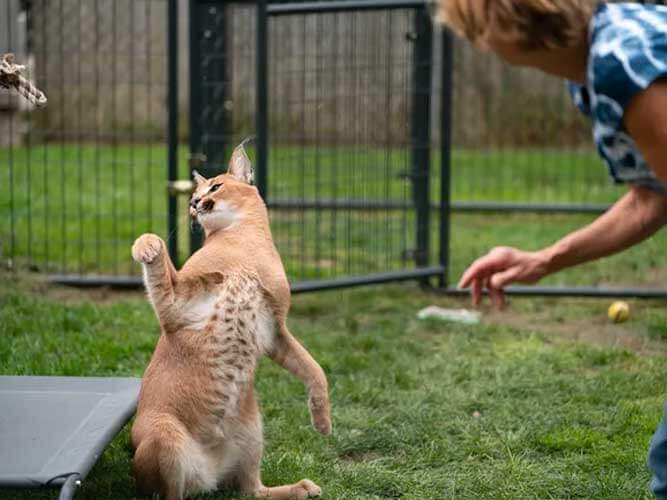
(545, 400)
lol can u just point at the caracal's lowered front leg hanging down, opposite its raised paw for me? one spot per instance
(291, 355)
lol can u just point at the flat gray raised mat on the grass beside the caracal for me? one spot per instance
(53, 427)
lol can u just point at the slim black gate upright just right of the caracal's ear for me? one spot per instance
(262, 98)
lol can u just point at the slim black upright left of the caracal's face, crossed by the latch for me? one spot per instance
(172, 133)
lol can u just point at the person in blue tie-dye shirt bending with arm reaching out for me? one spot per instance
(614, 58)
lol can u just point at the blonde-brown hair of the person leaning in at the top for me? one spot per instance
(532, 24)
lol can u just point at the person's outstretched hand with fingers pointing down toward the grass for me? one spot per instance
(500, 267)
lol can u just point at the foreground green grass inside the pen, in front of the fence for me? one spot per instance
(567, 403)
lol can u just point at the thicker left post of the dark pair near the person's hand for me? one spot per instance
(421, 130)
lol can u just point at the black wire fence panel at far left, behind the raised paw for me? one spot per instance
(83, 176)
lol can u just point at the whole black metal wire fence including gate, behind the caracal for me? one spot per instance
(373, 131)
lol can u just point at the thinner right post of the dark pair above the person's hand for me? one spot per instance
(447, 82)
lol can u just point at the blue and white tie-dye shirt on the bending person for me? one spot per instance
(628, 52)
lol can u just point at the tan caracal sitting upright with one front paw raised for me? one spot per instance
(198, 424)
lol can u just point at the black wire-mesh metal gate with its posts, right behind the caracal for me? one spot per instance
(340, 97)
